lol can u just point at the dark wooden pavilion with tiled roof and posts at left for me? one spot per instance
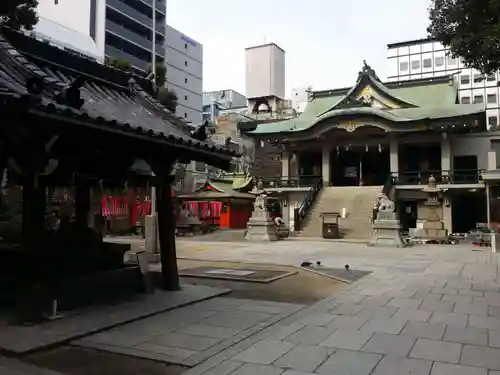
(66, 120)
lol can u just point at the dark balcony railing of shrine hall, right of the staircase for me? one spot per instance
(456, 176)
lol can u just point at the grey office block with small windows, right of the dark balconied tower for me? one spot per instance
(184, 61)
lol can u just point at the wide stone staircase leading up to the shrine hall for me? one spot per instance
(358, 200)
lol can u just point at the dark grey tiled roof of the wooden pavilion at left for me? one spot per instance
(127, 107)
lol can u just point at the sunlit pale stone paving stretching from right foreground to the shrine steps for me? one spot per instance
(425, 310)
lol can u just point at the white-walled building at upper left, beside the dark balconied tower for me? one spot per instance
(76, 25)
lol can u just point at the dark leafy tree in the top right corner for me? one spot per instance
(470, 28)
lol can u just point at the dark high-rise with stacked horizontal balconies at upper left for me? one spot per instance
(129, 31)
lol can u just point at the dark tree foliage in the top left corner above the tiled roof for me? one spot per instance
(18, 14)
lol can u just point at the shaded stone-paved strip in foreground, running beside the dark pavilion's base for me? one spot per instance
(191, 334)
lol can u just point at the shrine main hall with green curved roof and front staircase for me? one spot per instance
(351, 144)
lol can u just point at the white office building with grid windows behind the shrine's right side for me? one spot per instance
(425, 58)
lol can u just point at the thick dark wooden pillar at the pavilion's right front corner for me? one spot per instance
(166, 234)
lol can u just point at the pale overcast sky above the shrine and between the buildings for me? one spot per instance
(325, 41)
